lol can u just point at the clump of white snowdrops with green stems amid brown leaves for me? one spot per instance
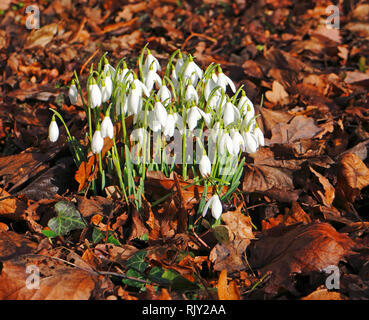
(181, 101)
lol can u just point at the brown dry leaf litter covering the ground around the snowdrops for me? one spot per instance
(303, 202)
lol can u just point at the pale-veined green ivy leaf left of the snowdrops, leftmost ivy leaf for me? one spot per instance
(68, 218)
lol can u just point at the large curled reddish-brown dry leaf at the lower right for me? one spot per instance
(297, 249)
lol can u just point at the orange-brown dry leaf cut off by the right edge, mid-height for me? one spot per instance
(353, 175)
